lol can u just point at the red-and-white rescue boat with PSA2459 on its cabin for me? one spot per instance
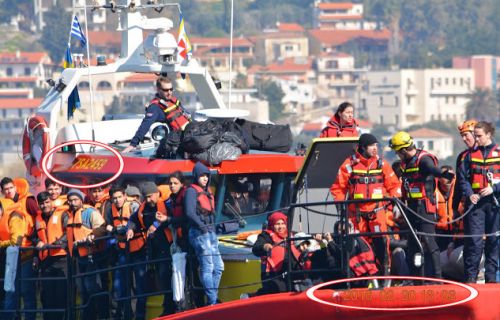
(273, 180)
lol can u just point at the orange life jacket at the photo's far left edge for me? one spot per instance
(9, 211)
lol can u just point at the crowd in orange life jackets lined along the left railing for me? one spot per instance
(103, 227)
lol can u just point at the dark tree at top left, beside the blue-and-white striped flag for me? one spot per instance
(55, 33)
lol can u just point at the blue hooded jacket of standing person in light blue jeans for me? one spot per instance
(205, 223)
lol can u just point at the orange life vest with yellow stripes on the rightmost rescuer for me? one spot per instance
(480, 166)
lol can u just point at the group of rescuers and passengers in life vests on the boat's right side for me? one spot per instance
(454, 211)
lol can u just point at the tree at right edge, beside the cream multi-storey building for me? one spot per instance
(483, 105)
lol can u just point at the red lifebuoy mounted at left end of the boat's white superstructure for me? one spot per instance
(35, 144)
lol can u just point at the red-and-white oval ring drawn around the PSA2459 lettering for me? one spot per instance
(69, 143)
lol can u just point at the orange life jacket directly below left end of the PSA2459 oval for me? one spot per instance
(50, 232)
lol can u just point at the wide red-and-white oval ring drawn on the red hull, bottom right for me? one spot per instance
(473, 294)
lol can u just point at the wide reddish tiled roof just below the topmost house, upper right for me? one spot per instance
(338, 37)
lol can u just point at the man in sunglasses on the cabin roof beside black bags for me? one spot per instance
(164, 107)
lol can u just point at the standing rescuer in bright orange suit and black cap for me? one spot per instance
(365, 175)
